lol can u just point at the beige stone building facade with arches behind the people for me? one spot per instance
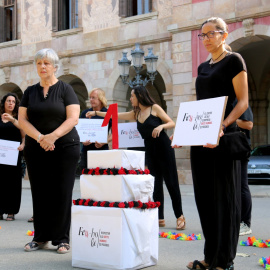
(91, 37)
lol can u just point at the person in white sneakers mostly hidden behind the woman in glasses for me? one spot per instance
(245, 122)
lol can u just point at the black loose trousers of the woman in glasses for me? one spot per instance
(217, 191)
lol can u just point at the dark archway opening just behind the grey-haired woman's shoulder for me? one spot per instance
(79, 88)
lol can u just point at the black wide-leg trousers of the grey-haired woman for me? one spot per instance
(52, 176)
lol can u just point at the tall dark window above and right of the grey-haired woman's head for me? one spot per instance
(65, 14)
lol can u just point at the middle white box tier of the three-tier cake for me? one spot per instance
(117, 187)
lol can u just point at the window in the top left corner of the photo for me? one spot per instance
(8, 20)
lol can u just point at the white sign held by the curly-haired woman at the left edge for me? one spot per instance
(9, 152)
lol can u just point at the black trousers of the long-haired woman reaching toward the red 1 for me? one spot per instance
(162, 165)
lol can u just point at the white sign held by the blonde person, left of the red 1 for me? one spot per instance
(91, 130)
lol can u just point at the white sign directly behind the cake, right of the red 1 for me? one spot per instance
(129, 136)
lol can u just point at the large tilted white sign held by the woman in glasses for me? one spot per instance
(199, 122)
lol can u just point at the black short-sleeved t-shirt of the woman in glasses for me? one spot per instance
(216, 80)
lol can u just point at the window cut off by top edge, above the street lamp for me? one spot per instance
(128, 8)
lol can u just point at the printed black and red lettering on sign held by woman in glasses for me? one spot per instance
(203, 120)
